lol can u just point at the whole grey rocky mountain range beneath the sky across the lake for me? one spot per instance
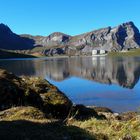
(124, 36)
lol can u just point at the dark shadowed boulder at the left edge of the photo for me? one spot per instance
(15, 92)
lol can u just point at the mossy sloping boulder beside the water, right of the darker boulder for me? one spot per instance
(55, 103)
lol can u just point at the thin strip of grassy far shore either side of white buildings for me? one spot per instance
(5, 54)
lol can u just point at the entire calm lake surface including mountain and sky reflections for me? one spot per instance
(97, 81)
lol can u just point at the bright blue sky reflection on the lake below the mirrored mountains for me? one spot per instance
(87, 92)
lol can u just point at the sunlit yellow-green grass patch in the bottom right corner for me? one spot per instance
(111, 129)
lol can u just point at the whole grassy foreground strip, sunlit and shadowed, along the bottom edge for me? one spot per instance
(31, 123)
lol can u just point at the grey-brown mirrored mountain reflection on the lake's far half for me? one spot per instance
(123, 71)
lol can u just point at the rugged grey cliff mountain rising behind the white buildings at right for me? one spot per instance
(112, 39)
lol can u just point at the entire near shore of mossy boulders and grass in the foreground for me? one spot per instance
(33, 108)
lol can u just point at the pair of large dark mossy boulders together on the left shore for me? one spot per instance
(36, 92)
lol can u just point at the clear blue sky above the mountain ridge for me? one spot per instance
(42, 17)
